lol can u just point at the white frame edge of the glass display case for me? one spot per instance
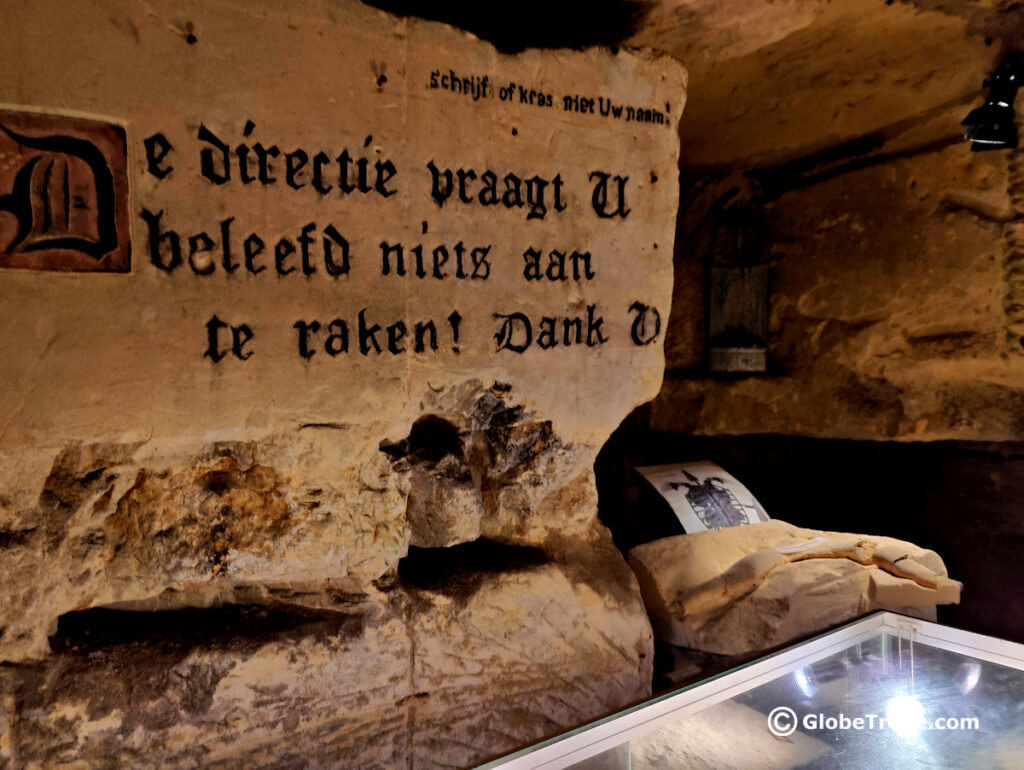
(583, 743)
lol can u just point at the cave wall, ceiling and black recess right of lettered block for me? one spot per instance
(894, 395)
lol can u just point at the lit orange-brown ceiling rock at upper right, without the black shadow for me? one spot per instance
(787, 79)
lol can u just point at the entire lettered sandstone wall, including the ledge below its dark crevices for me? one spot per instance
(153, 461)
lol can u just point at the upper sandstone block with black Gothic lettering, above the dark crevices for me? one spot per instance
(137, 473)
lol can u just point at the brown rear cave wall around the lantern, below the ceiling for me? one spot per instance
(894, 311)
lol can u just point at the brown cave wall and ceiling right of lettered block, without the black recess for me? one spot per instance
(895, 282)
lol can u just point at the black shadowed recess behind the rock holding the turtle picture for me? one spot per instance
(961, 500)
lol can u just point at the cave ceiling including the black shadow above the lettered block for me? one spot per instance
(781, 82)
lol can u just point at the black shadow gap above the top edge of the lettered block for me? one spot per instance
(514, 27)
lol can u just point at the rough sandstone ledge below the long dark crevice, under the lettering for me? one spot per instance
(443, 670)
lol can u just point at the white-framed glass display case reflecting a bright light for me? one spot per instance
(885, 691)
